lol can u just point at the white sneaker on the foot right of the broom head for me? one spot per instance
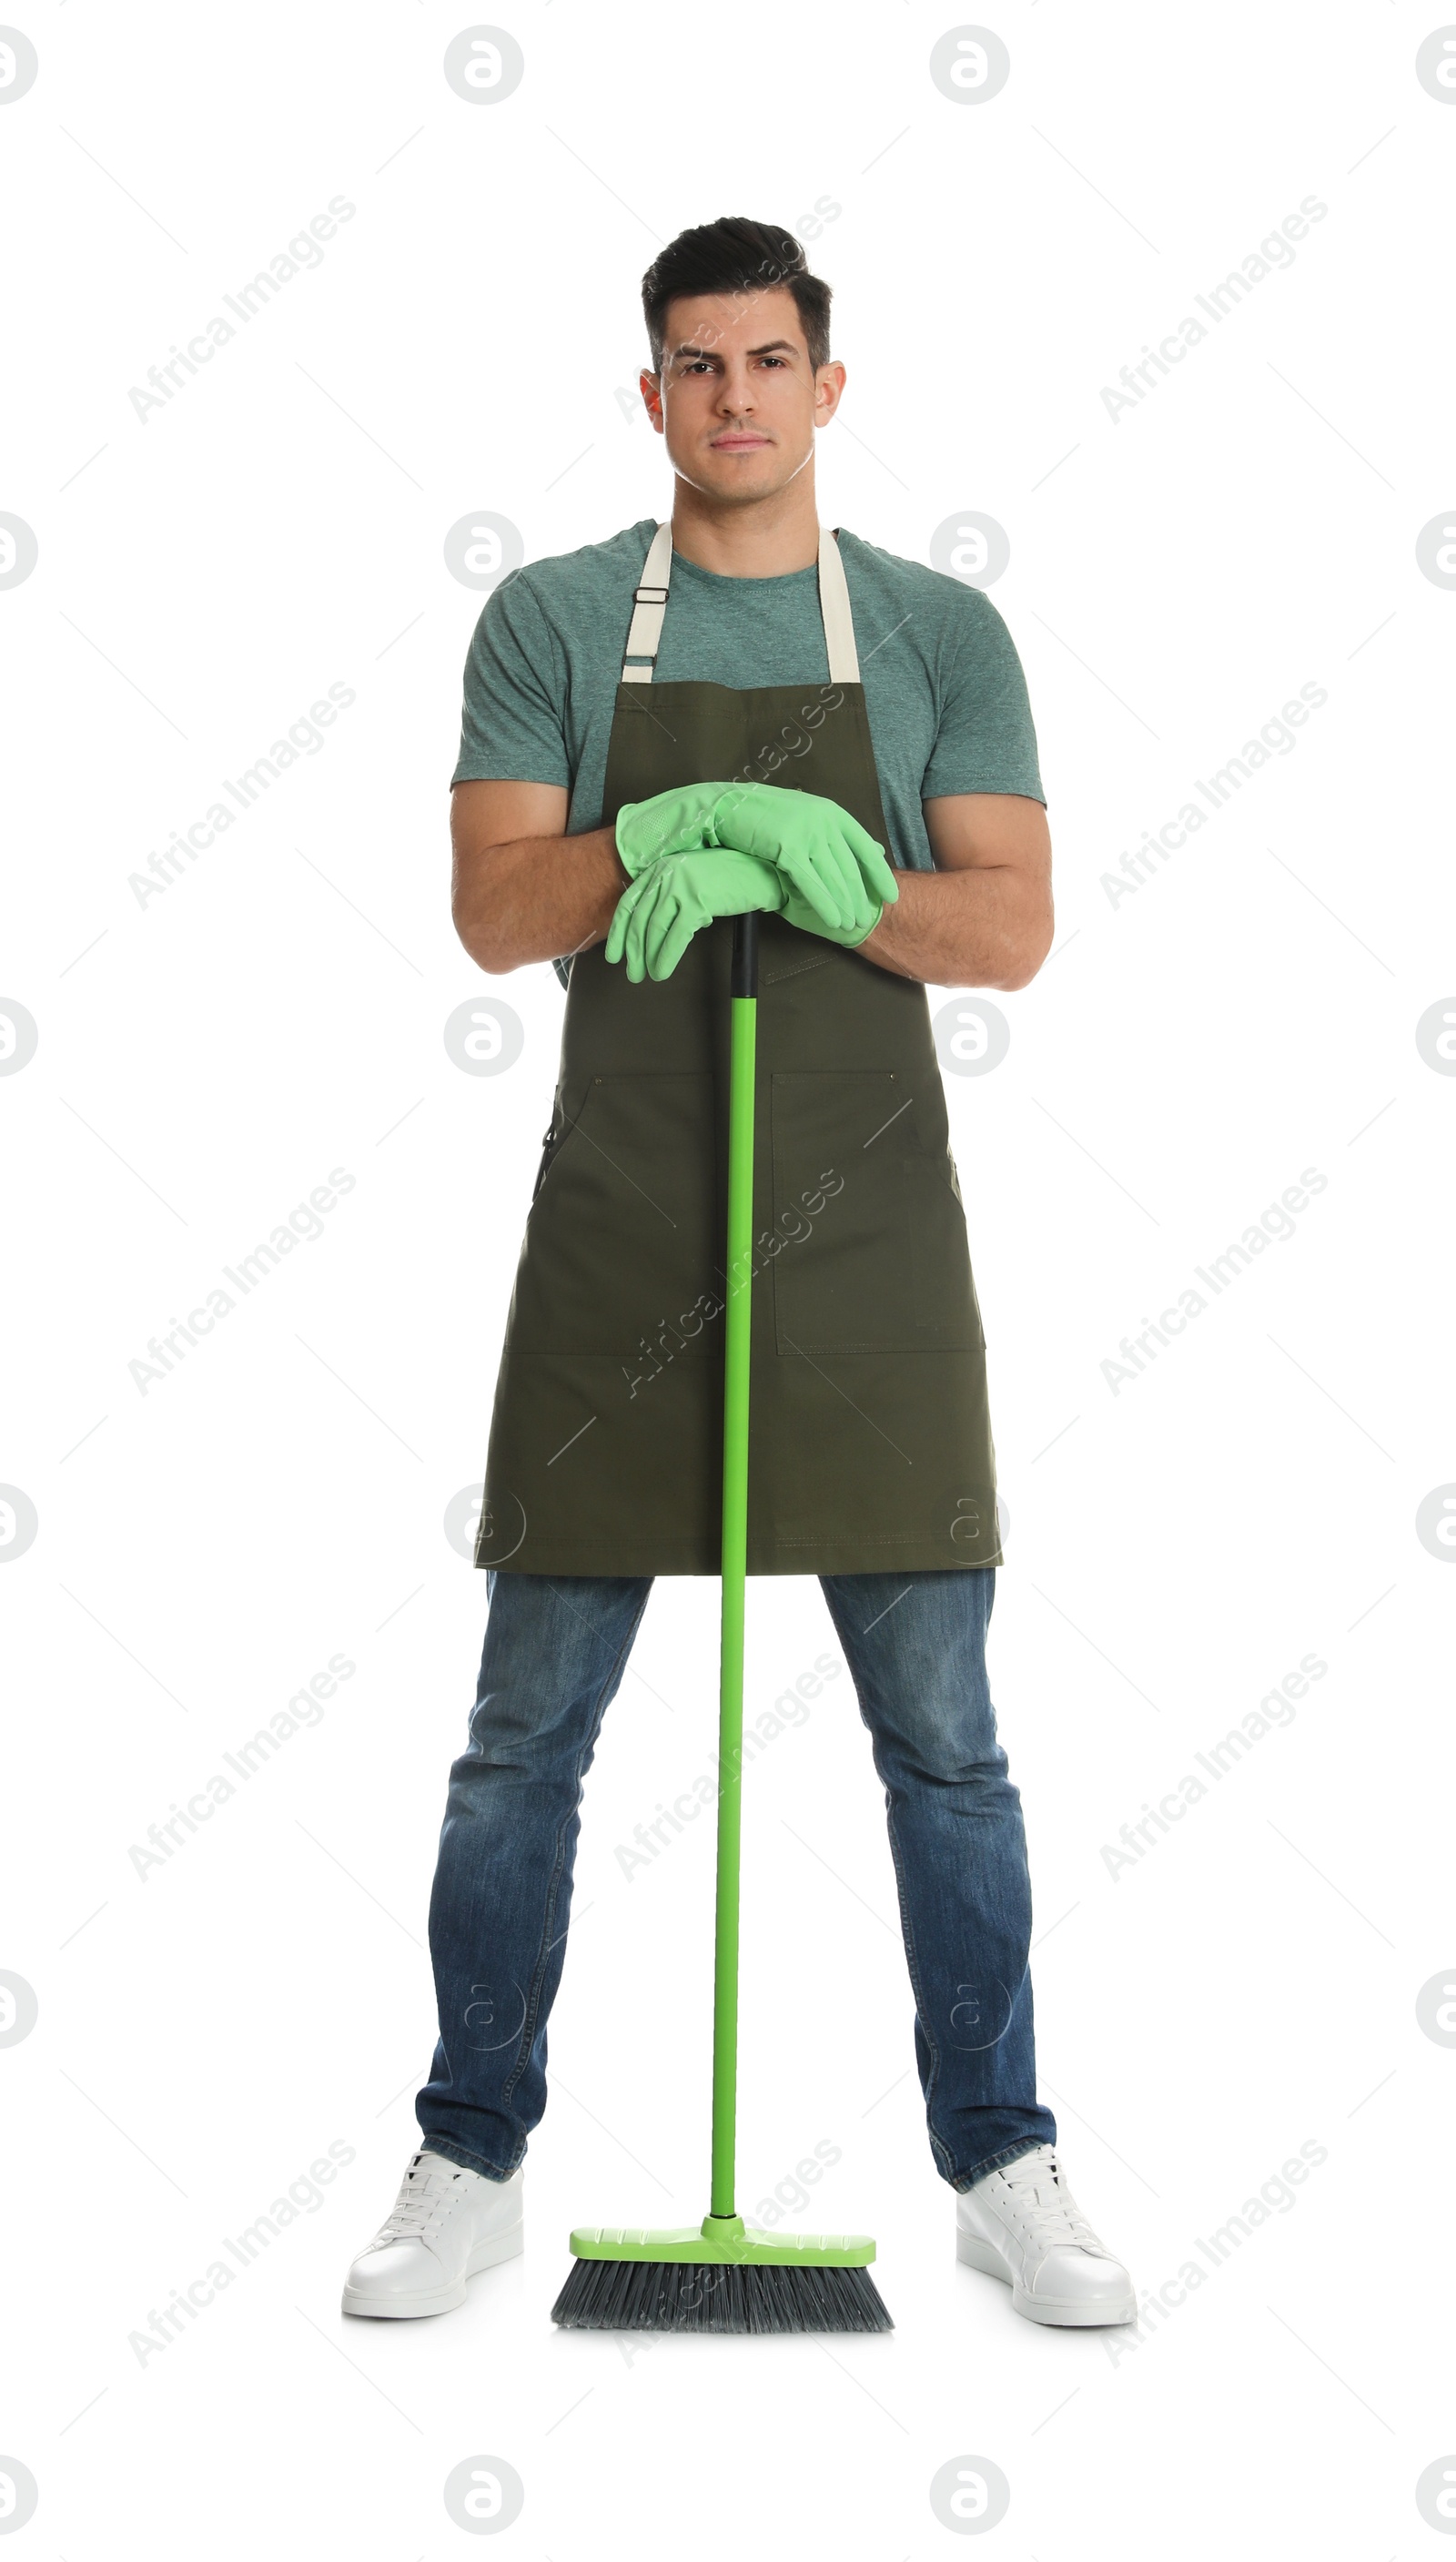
(1027, 2228)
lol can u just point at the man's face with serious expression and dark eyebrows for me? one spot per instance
(737, 396)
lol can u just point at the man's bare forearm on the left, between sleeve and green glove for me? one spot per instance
(537, 898)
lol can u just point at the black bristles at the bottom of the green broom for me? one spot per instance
(696, 2297)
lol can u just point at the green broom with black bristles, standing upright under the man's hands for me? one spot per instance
(727, 2276)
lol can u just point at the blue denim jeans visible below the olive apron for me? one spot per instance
(555, 1654)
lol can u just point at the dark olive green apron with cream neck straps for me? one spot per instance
(870, 1431)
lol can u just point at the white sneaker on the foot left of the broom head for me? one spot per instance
(445, 2228)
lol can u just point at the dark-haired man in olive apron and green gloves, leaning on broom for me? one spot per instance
(742, 711)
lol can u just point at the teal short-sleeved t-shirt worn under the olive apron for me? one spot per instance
(942, 680)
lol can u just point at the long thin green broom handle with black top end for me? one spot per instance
(745, 1018)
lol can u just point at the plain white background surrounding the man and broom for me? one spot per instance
(206, 1059)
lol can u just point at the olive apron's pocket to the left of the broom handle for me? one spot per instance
(622, 1234)
